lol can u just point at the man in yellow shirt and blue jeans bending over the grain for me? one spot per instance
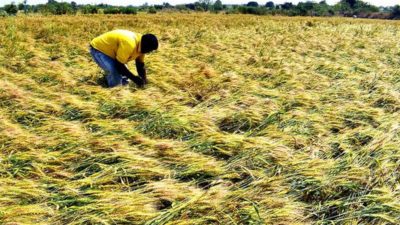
(114, 49)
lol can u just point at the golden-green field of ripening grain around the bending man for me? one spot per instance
(245, 120)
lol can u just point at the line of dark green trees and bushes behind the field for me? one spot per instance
(353, 8)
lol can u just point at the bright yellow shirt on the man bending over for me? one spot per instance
(122, 45)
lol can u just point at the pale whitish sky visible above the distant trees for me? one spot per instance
(174, 2)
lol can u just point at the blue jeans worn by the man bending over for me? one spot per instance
(108, 64)
